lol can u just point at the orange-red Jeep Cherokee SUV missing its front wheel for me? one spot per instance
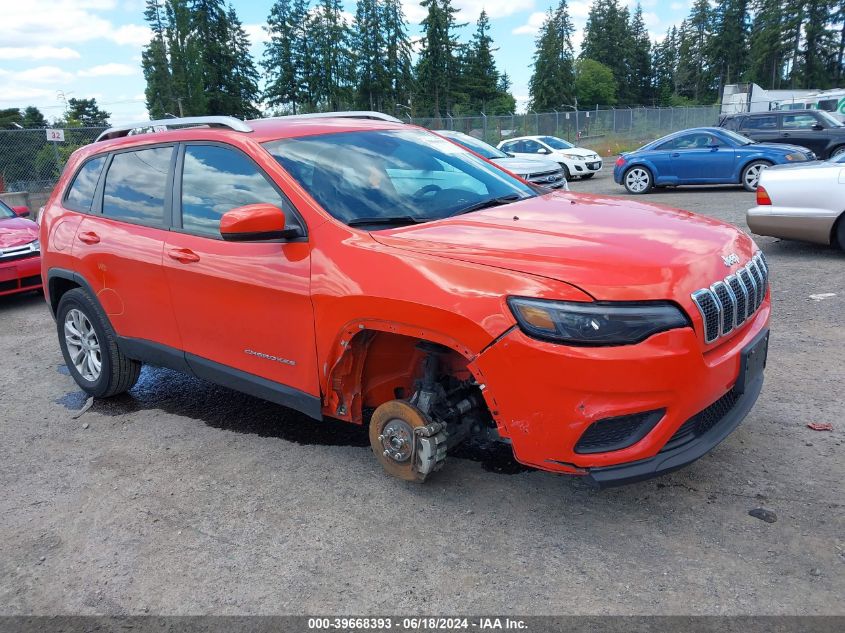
(355, 267)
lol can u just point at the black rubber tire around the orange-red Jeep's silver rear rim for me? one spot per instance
(118, 373)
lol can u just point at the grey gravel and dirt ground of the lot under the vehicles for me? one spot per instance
(186, 498)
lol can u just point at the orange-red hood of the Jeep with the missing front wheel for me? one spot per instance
(611, 248)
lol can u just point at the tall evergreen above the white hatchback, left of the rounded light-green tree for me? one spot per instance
(552, 80)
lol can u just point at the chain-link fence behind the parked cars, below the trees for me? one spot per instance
(30, 163)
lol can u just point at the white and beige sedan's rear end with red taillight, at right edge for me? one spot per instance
(802, 202)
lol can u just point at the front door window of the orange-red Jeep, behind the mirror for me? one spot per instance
(216, 180)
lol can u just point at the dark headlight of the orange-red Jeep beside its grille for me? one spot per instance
(595, 323)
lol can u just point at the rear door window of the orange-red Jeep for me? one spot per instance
(136, 185)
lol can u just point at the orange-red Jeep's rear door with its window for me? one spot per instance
(118, 245)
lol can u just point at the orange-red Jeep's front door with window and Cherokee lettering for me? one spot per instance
(240, 305)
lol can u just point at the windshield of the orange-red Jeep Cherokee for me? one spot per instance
(380, 177)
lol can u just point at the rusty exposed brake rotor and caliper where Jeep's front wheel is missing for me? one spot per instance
(408, 444)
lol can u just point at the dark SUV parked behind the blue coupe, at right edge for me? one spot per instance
(816, 130)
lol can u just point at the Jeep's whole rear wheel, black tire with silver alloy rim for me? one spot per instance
(89, 347)
